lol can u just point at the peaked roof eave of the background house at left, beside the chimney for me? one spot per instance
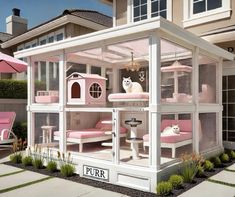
(52, 24)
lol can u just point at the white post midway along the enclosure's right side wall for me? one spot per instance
(195, 92)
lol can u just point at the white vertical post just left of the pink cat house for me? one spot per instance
(62, 102)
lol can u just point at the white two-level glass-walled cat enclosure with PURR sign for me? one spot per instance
(156, 44)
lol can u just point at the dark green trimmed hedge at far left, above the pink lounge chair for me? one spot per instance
(16, 89)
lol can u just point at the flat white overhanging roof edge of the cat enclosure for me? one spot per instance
(143, 28)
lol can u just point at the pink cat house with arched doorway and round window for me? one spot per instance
(86, 89)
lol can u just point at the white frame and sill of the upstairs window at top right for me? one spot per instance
(207, 16)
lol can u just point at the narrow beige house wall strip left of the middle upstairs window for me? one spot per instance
(121, 10)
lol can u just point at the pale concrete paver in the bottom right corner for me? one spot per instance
(207, 188)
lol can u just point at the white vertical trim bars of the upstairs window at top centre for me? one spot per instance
(130, 17)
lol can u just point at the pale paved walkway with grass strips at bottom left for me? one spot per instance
(17, 182)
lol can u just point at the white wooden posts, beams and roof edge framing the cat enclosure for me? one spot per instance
(154, 29)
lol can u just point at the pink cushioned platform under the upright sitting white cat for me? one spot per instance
(140, 95)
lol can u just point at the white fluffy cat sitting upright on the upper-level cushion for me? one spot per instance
(131, 87)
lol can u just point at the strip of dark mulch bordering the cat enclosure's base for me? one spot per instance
(121, 189)
